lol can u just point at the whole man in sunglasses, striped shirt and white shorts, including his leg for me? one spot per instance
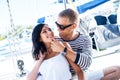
(81, 46)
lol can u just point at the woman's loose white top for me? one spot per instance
(56, 68)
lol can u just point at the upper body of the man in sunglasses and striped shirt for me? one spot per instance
(81, 44)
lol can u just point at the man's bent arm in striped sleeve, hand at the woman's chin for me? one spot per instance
(82, 53)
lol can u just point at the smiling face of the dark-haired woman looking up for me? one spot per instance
(46, 34)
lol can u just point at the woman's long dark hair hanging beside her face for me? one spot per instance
(38, 46)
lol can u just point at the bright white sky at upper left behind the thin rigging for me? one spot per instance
(24, 12)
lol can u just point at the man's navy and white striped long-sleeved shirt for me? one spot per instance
(82, 45)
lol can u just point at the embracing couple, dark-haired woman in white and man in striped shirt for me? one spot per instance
(53, 57)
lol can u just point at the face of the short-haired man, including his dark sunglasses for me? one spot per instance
(64, 26)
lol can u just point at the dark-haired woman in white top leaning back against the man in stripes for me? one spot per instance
(50, 65)
